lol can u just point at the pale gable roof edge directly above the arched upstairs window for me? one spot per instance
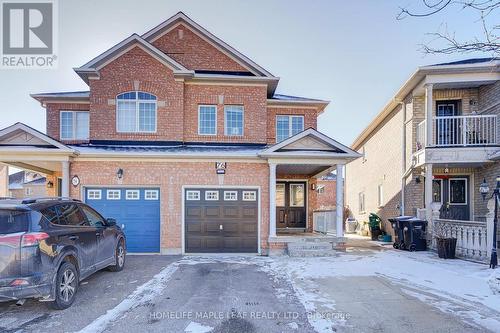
(92, 67)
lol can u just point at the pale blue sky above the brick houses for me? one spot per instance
(352, 53)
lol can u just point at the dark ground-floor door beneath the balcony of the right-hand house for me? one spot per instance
(455, 198)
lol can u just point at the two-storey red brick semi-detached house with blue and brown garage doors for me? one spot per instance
(186, 143)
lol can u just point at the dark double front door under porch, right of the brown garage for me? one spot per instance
(291, 205)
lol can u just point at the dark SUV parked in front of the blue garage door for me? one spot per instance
(48, 245)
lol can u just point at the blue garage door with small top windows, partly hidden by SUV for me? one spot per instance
(137, 209)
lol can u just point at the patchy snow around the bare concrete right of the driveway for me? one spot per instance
(455, 287)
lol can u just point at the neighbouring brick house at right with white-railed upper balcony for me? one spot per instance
(430, 148)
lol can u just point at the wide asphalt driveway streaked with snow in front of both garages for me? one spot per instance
(247, 294)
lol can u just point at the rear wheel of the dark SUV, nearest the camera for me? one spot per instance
(66, 286)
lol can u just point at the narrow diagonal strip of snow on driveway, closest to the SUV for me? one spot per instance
(142, 295)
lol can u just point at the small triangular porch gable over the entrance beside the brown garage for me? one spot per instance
(320, 145)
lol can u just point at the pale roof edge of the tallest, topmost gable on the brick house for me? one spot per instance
(228, 50)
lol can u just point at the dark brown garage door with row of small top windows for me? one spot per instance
(221, 220)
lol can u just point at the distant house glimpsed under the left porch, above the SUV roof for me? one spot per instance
(24, 184)
